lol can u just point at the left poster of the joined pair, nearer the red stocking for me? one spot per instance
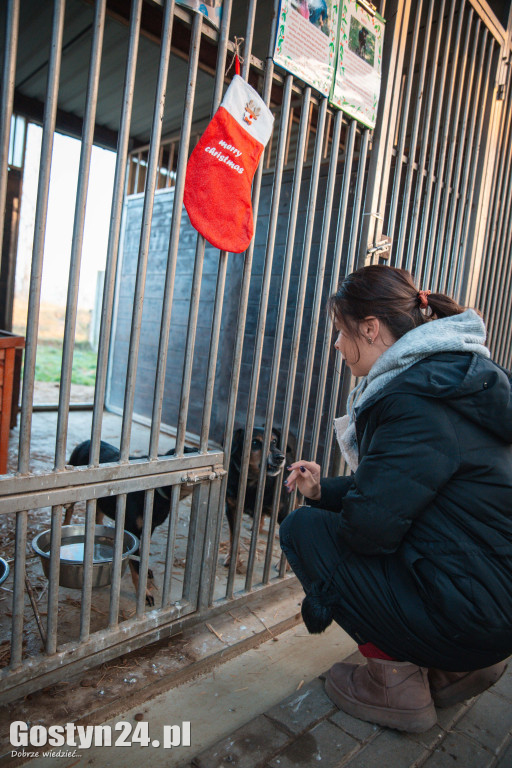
(307, 32)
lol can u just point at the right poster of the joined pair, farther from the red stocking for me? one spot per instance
(357, 78)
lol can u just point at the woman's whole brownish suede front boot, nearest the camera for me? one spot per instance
(391, 693)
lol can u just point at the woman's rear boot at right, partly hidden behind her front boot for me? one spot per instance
(449, 688)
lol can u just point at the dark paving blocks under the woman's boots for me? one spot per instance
(305, 729)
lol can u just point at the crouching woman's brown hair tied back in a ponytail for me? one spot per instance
(388, 294)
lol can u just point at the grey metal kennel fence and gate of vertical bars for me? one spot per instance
(434, 177)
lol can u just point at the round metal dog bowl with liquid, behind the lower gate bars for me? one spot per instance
(72, 554)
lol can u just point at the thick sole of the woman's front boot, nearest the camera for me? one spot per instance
(415, 721)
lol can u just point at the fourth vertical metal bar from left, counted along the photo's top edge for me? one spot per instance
(115, 228)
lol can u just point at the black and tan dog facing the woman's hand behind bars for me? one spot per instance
(275, 461)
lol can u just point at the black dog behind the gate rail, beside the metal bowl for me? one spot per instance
(134, 518)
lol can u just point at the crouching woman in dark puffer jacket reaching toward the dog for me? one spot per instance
(412, 553)
